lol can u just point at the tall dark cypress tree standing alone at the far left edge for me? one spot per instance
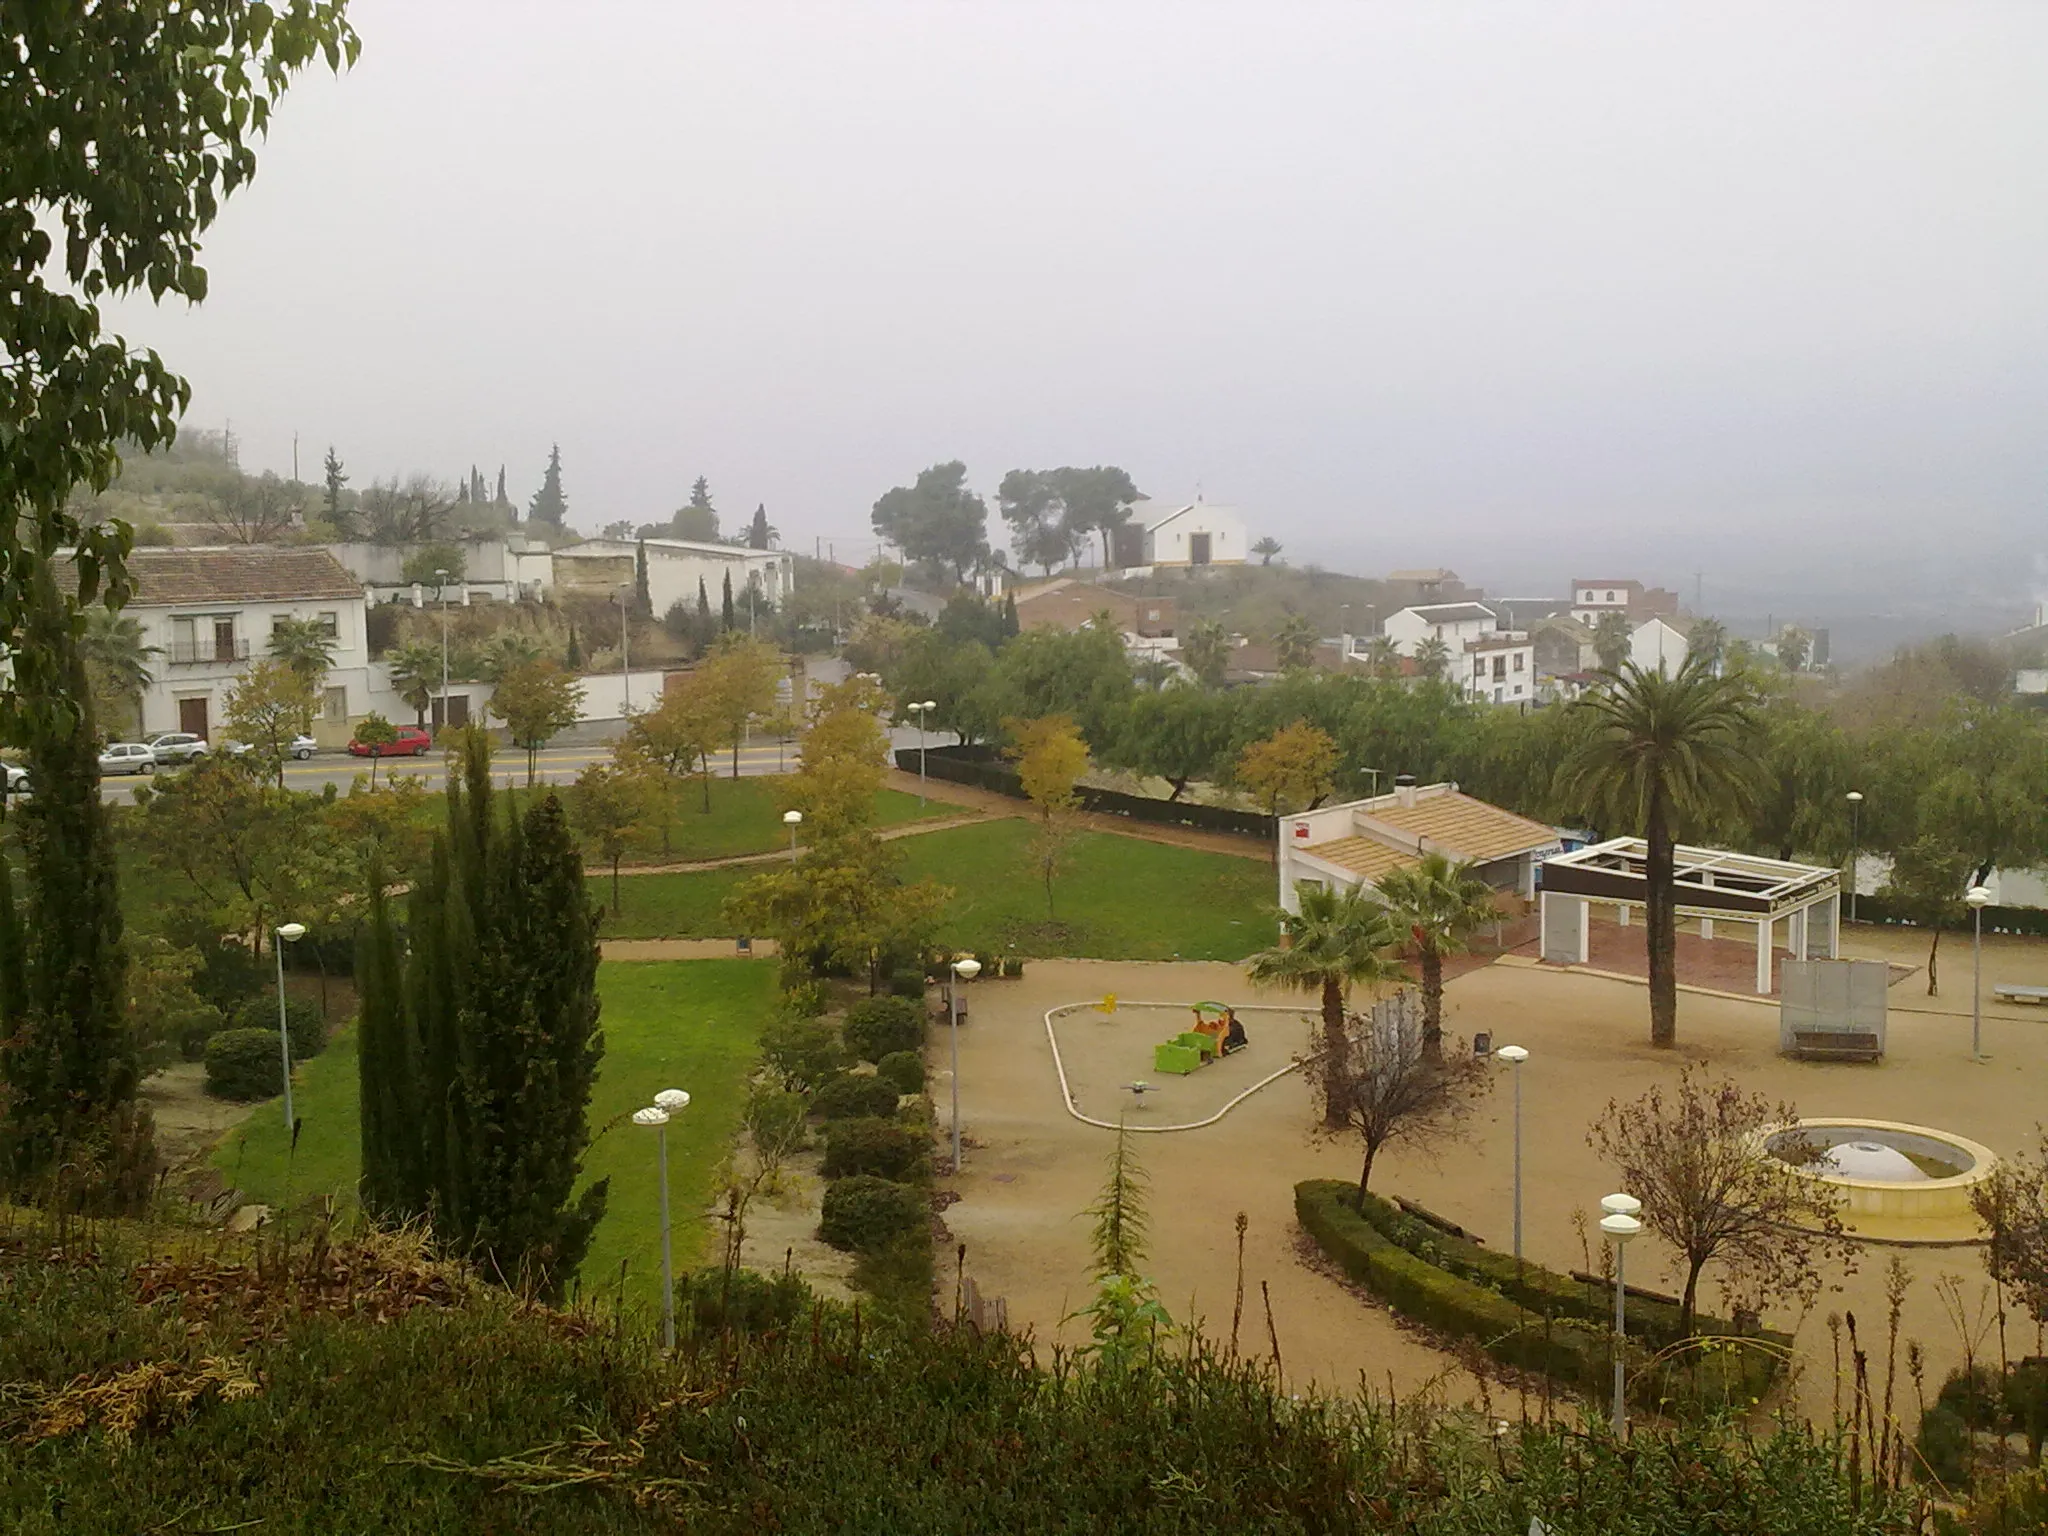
(69, 1060)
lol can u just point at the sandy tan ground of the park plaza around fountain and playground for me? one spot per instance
(1031, 1168)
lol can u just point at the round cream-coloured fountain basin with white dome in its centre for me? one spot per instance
(1897, 1183)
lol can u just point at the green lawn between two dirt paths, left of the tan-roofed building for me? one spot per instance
(1119, 898)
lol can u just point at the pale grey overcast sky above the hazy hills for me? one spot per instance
(1517, 290)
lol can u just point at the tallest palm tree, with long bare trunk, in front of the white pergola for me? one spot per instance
(1666, 751)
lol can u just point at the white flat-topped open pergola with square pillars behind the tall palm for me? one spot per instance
(1713, 886)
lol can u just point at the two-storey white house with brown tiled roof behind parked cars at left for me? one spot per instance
(210, 613)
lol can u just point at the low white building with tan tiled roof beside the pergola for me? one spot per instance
(1359, 843)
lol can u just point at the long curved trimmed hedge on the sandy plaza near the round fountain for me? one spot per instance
(1555, 1340)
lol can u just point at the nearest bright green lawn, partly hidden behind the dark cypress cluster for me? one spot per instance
(689, 1025)
